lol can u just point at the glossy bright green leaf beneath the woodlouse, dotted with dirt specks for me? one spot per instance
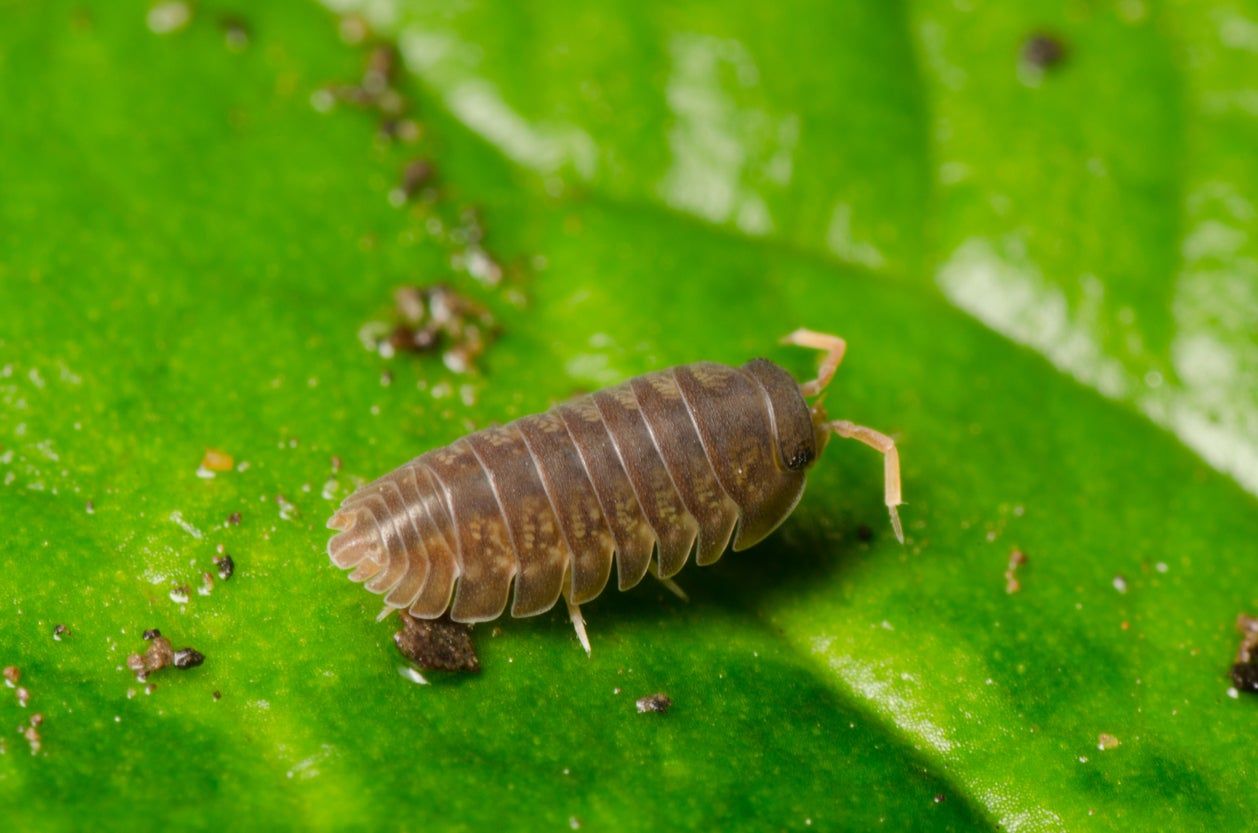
(191, 251)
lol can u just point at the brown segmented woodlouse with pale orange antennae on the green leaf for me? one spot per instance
(645, 474)
